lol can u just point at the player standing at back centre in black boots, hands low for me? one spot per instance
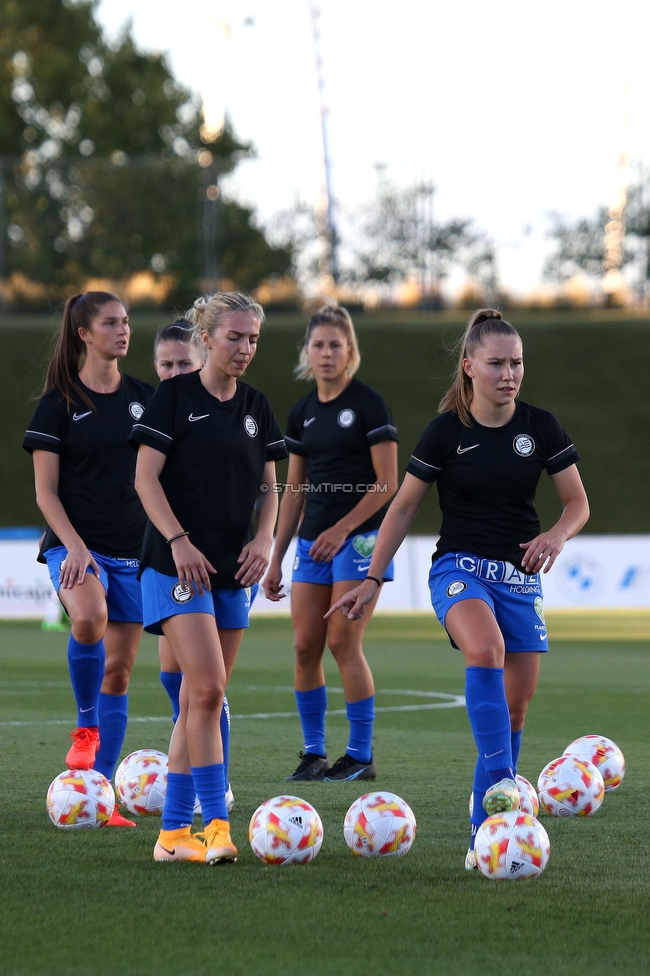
(342, 473)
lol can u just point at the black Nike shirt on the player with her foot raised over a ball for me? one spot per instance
(487, 478)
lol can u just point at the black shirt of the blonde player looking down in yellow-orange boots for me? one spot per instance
(215, 455)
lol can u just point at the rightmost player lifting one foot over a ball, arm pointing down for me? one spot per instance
(486, 452)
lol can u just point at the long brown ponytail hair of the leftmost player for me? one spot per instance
(78, 313)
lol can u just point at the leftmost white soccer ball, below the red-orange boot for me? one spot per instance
(80, 798)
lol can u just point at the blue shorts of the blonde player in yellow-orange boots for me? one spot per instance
(165, 596)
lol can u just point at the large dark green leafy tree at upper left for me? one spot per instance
(107, 174)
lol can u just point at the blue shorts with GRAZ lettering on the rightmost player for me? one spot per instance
(514, 598)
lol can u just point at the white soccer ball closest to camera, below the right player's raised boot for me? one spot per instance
(510, 846)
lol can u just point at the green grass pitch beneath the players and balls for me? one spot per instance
(94, 902)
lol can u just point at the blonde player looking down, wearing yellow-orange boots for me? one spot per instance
(207, 450)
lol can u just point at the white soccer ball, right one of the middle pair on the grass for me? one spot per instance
(379, 825)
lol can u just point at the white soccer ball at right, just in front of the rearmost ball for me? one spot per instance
(570, 787)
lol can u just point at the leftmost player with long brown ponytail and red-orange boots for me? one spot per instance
(84, 469)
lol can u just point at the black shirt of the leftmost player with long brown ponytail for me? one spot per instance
(97, 466)
